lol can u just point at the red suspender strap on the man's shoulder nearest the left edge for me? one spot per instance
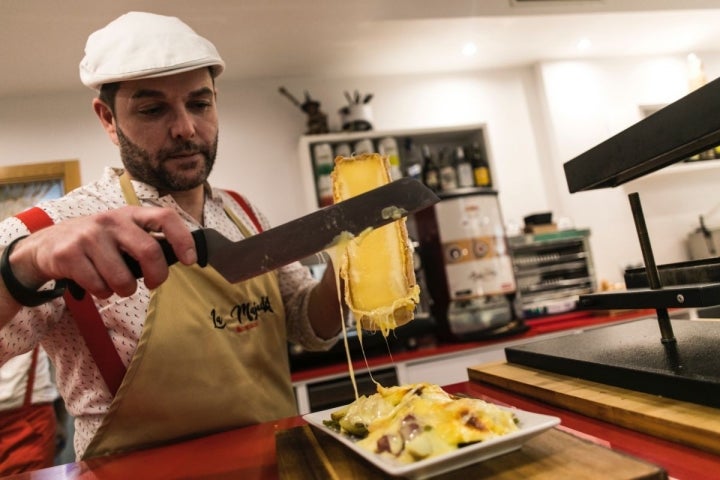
(86, 317)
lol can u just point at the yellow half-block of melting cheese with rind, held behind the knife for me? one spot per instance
(377, 266)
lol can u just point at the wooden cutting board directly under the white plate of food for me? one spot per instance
(307, 453)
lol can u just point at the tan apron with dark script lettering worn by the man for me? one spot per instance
(212, 356)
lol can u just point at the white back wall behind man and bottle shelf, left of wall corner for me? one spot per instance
(260, 130)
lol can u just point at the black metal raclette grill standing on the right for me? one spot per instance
(676, 359)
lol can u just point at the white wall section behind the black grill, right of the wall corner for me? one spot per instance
(587, 102)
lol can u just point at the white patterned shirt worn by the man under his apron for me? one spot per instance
(79, 381)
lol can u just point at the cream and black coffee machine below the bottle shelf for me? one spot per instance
(467, 266)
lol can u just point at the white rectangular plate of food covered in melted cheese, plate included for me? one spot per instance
(418, 430)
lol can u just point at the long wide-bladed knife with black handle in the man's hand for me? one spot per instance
(300, 238)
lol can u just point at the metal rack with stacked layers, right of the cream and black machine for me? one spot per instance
(551, 271)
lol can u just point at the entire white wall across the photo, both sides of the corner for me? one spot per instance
(537, 118)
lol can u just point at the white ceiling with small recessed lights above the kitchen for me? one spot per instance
(41, 41)
